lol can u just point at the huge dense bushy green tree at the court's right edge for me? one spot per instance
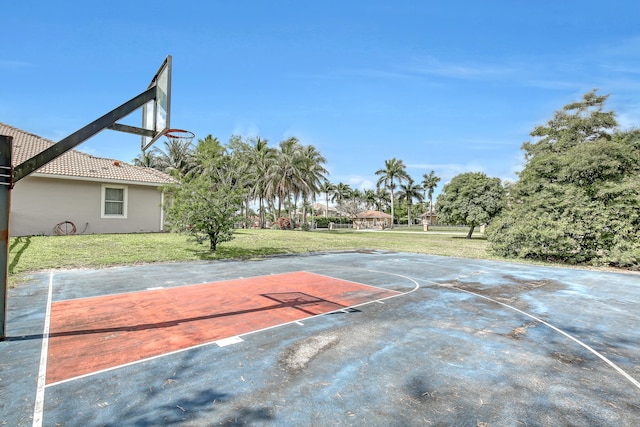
(576, 199)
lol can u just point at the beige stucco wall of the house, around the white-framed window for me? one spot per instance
(39, 203)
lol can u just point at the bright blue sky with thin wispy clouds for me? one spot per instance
(445, 86)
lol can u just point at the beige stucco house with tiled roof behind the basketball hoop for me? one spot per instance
(77, 193)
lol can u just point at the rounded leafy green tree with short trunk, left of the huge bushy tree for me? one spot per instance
(471, 199)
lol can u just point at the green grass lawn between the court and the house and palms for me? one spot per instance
(102, 250)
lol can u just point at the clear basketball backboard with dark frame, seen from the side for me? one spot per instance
(156, 113)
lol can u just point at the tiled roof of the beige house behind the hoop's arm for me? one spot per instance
(77, 164)
